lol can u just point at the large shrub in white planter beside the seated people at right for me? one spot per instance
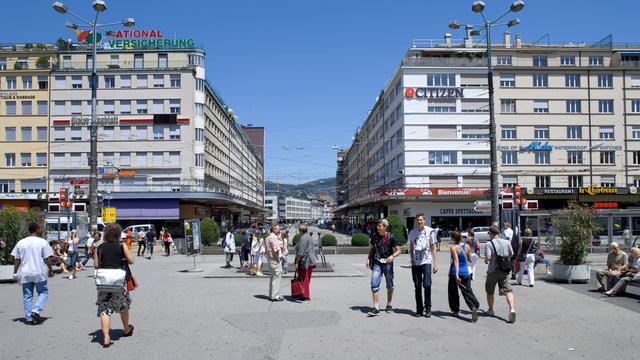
(576, 225)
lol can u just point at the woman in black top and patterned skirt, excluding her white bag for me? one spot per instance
(111, 254)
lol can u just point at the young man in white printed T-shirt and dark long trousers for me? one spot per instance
(422, 246)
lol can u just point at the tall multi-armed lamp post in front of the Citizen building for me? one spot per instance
(478, 7)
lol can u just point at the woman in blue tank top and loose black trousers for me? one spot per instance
(460, 278)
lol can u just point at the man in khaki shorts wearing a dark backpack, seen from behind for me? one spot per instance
(497, 254)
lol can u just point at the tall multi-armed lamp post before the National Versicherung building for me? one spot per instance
(99, 6)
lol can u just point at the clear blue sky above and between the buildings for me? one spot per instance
(309, 71)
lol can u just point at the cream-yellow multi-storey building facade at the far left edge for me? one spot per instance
(24, 110)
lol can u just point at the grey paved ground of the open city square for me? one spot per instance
(206, 316)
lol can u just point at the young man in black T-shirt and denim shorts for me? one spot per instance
(384, 250)
